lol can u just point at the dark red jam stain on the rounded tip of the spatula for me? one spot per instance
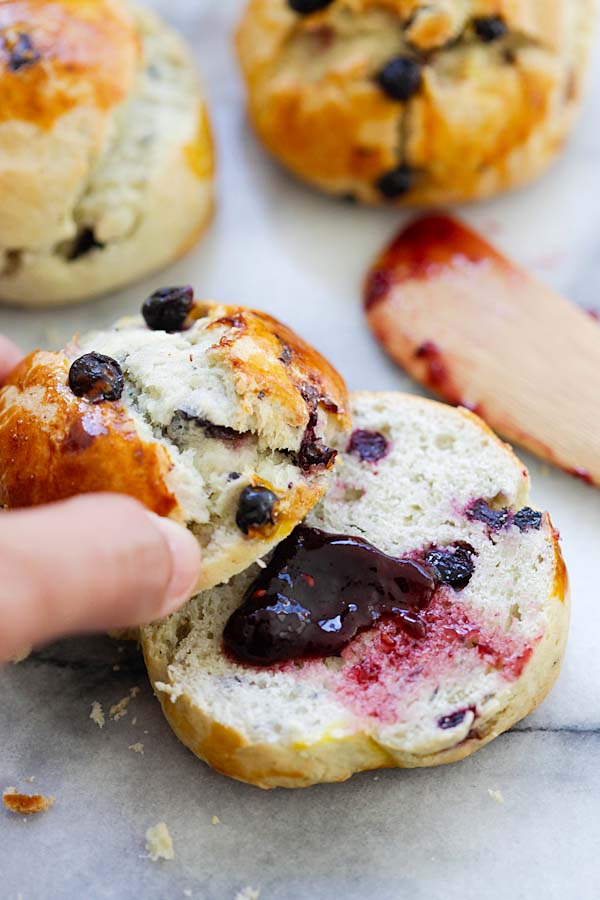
(425, 249)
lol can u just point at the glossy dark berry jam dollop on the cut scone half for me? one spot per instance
(319, 591)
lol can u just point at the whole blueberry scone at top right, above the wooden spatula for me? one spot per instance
(413, 101)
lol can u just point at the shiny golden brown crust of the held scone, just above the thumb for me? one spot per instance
(54, 445)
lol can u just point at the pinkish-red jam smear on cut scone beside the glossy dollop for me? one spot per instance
(389, 671)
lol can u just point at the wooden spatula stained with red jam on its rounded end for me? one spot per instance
(479, 331)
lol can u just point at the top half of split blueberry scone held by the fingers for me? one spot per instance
(217, 416)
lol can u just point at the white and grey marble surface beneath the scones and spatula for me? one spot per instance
(419, 834)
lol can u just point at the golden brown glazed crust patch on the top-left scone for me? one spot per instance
(79, 51)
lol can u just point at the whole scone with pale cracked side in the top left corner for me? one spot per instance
(106, 158)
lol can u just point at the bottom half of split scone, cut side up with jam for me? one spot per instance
(338, 658)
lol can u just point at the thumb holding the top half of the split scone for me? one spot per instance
(87, 564)
